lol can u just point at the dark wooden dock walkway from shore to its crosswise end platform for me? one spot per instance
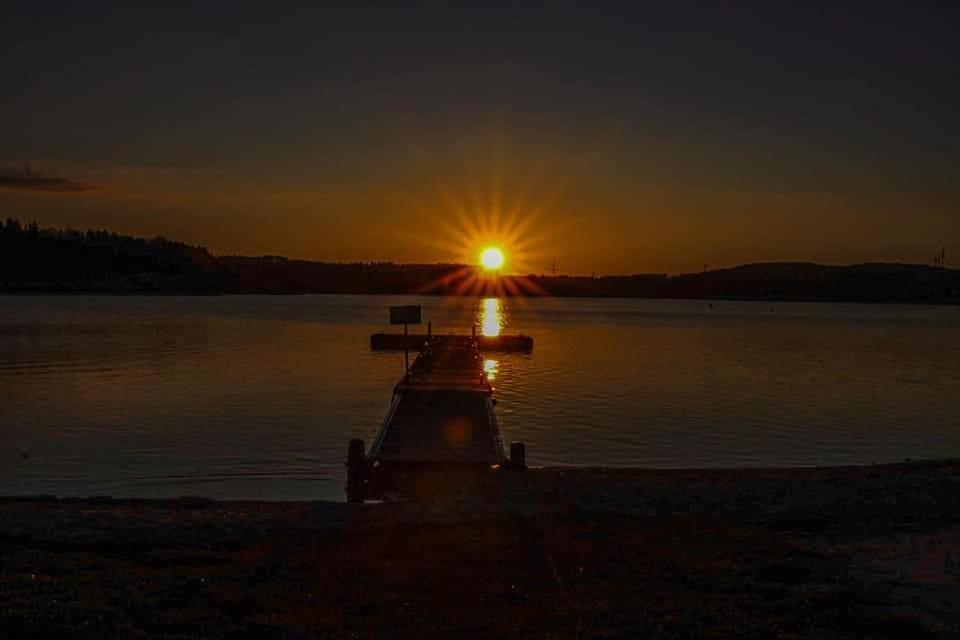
(442, 415)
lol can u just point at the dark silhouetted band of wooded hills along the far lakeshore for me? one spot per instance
(66, 260)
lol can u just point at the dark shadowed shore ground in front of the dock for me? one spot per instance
(865, 552)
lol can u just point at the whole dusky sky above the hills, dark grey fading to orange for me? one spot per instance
(649, 137)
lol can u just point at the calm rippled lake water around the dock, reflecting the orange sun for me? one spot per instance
(254, 396)
